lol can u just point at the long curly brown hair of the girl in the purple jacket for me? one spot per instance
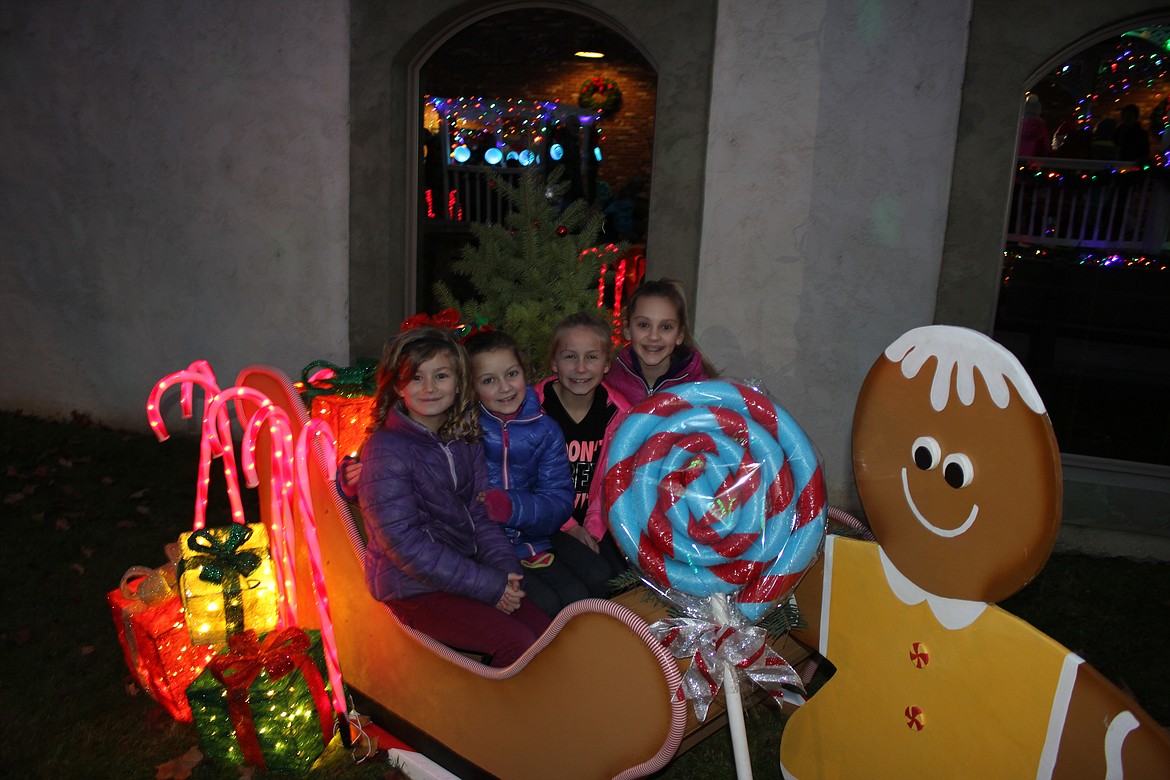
(403, 357)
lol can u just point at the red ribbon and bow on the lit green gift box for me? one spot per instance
(280, 654)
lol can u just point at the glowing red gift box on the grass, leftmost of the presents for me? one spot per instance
(157, 647)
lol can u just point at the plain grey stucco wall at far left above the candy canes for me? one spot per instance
(174, 188)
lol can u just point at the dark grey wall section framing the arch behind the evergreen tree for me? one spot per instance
(391, 43)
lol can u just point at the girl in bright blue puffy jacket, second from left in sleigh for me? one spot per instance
(532, 493)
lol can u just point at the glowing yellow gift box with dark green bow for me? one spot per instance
(228, 583)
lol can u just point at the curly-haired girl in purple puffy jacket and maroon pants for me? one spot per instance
(433, 556)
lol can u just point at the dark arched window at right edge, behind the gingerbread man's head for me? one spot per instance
(1086, 281)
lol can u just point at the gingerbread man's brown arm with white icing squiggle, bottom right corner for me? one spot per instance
(1107, 735)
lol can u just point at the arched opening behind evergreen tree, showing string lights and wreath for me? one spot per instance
(504, 94)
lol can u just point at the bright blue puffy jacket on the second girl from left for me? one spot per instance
(527, 460)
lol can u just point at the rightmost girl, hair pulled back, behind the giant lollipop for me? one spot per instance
(663, 351)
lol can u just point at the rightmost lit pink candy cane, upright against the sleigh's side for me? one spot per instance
(319, 431)
